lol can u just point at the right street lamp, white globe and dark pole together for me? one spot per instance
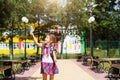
(90, 20)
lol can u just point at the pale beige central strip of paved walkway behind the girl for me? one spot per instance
(68, 71)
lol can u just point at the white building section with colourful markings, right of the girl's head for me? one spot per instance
(72, 45)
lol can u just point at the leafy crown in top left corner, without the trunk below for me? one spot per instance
(13, 10)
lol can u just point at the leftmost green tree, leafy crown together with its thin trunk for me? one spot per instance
(11, 13)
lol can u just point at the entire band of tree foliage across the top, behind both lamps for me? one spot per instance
(45, 14)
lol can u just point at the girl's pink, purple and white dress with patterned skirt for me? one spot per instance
(48, 66)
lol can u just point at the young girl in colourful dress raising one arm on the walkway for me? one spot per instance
(48, 61)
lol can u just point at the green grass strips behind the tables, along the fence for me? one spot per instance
(101, 53)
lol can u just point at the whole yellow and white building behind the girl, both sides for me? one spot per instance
(72, 44)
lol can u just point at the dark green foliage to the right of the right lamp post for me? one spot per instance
(107, 21)
